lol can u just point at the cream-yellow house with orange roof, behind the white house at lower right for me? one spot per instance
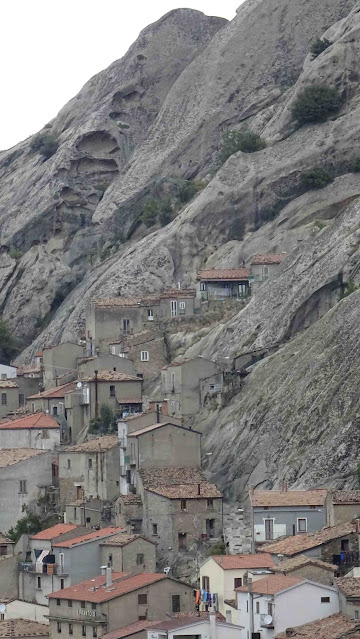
(221, 574)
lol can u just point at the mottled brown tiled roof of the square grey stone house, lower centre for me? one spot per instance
(178, 483)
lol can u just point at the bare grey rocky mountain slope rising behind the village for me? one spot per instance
(156, 117)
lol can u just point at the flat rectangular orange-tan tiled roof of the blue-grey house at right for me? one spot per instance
(288, 497)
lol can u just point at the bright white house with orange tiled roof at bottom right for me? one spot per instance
(272, 604)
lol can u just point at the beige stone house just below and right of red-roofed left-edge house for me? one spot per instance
(90, 470)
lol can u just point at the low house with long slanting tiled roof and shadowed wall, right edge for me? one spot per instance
(338, 545)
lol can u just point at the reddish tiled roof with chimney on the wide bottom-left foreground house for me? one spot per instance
(122, 584)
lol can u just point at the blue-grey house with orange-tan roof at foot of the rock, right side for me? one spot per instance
(276, 513)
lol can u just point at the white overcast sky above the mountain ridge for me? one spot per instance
(50, 48)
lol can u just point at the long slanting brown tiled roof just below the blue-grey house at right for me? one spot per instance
(297, 544)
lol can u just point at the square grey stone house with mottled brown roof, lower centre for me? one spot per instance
(180, 508)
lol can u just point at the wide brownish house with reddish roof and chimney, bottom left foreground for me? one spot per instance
(103, 604)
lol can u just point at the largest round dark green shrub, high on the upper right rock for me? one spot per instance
(316, 104)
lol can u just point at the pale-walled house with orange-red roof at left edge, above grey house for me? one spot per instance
(37, 430)
